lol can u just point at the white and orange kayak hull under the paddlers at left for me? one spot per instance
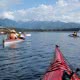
(7, 43)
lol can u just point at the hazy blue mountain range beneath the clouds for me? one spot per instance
(38, 24)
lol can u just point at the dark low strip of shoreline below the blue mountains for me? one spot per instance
(37, 30)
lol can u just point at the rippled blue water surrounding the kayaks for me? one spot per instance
(30, 59)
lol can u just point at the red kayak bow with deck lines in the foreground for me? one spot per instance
(57, 68)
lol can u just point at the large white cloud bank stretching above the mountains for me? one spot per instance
(63, 10)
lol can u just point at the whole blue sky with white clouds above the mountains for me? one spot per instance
(41, 10)
